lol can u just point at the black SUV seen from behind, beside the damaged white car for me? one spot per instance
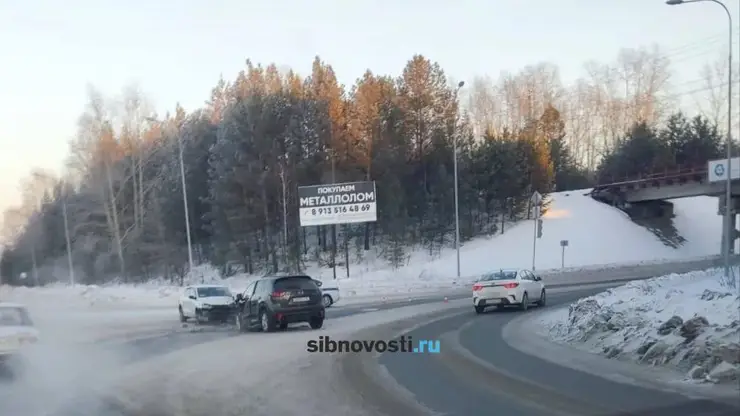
(276, 301)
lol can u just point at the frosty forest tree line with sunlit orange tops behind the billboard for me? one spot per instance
(265, 133)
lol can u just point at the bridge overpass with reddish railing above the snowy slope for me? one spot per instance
(648, 192)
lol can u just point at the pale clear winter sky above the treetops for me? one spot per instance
(175, 51)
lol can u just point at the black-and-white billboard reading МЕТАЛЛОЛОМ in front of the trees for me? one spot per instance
(337, 203)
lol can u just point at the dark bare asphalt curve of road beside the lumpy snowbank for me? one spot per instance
(452, 384)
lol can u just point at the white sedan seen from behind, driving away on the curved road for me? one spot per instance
(508, 287)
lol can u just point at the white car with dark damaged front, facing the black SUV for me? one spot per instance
(206, 303)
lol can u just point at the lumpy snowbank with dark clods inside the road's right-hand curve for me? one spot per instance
(688, 322)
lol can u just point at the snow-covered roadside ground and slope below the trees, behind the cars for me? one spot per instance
(597, 235)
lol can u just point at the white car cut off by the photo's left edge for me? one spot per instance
(17, 332)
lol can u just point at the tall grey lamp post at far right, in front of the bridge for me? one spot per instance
(728, 232)
